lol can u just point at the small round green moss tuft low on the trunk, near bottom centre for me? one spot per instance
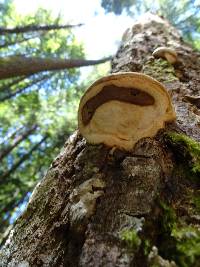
(131, 239)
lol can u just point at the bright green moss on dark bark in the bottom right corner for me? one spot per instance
(179, 242)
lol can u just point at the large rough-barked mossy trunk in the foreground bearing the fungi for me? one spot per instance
(125, 209)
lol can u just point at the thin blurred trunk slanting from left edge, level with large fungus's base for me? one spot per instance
(4, 152)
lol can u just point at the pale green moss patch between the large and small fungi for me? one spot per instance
(161, 70)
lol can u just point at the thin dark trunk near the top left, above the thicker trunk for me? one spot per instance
(34, 28)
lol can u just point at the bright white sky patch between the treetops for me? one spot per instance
(101, 33)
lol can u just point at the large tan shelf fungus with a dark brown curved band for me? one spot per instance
(122, 108)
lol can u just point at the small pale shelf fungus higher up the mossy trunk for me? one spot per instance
(165, 52)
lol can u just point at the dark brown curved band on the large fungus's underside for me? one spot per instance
(113, 92)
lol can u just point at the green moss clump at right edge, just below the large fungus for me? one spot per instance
(188, 147)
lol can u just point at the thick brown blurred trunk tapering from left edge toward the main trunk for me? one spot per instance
(14, 66)
